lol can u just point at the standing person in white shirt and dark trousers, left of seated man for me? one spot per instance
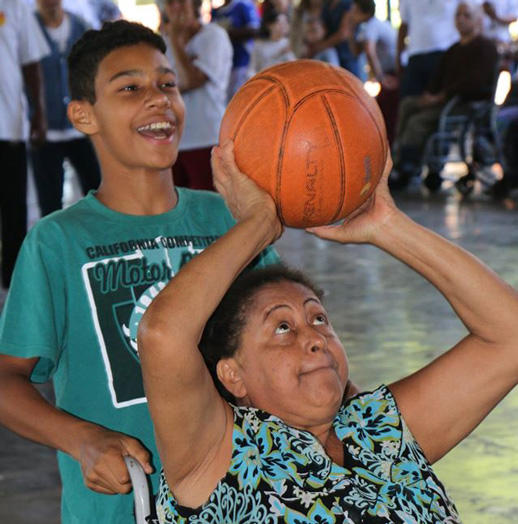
(429, 28)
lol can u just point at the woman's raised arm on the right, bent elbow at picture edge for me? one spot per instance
(443, 402)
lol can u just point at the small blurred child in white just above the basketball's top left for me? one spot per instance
(273, 46)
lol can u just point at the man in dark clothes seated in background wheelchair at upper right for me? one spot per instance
(467, 69)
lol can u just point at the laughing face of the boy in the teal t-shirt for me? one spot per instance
(138, 114)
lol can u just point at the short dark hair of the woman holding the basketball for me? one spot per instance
(222, 335)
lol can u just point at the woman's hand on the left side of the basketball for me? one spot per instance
(242, 195)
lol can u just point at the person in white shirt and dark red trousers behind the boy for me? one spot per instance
(201, 55)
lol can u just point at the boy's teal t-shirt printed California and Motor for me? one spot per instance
(83, 279)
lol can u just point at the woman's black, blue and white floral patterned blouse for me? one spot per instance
(279, 474)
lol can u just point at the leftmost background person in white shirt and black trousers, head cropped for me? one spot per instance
(22, 46)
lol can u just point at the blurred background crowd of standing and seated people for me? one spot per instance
(438, 52)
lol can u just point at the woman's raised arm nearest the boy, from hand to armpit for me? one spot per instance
(192, 422)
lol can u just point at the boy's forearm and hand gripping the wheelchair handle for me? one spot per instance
(99, 450)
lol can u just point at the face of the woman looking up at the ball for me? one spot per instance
(290, 361)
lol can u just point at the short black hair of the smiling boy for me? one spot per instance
(94, 45)
